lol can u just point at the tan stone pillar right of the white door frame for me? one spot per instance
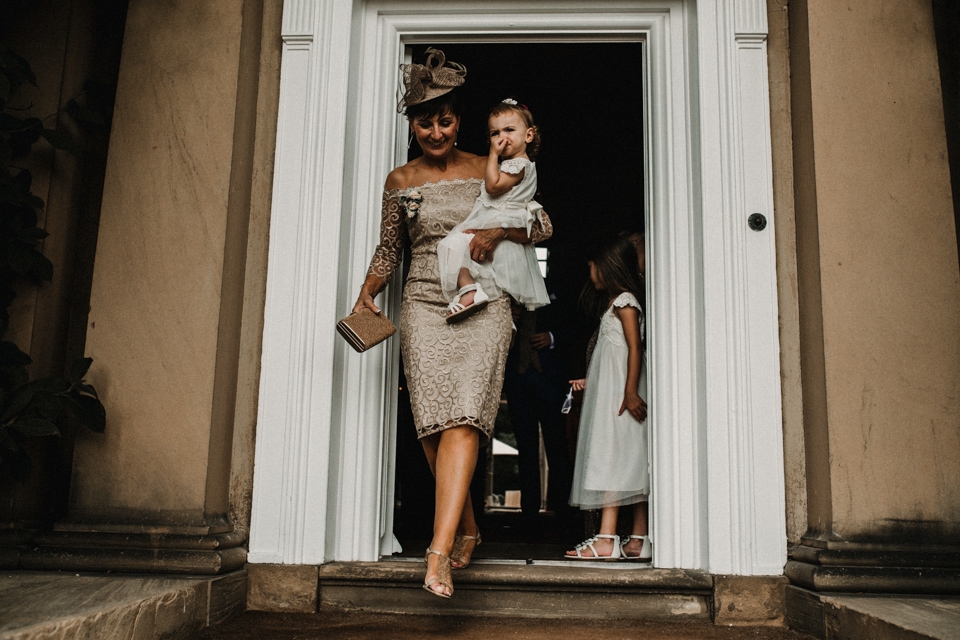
(879, 277)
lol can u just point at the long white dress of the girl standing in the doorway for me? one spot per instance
(611, 467)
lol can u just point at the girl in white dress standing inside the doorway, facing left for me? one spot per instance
(611, 465)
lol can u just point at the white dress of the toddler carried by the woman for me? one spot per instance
(514, 267)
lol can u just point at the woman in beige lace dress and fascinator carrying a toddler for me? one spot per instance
(454, 371)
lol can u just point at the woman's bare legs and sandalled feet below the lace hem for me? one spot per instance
(452, 455)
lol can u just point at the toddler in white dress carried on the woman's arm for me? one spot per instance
(505, 201)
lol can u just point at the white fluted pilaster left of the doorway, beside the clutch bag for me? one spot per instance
(293, 451)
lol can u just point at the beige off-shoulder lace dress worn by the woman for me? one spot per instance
(454, 371)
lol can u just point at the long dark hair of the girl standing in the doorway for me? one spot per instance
(616, 263)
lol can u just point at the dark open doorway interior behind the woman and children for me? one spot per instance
(587, 99)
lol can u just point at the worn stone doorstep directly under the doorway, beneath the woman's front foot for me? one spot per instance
(518, 589)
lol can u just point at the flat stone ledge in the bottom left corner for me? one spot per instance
(56, 604)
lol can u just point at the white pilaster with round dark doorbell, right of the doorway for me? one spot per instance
(746, 531)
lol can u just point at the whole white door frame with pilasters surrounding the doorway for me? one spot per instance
(323, 483)
